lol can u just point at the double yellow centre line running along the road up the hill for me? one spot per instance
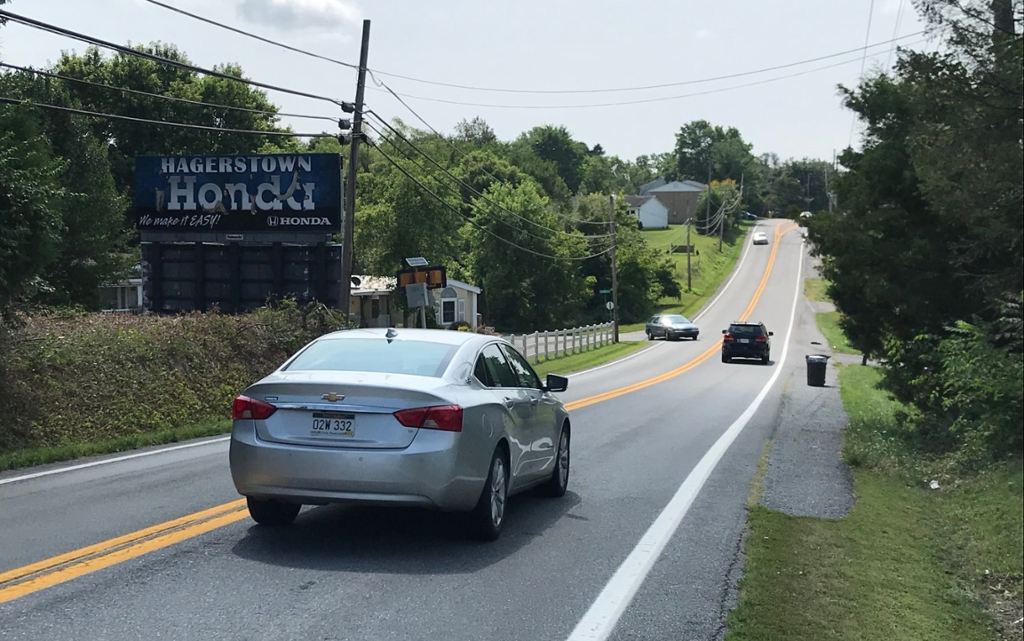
(23, 581)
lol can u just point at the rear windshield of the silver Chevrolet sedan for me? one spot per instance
(376, 355)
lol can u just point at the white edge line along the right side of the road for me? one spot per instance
(605, 614)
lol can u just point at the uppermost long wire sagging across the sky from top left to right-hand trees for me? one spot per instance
(510, 91)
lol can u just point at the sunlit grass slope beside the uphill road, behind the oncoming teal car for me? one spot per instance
(709, 270)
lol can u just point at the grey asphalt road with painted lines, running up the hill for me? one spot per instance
(668, 461)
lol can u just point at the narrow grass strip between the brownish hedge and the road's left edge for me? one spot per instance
(68, 452)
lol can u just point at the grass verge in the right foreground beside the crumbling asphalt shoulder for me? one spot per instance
(908, 564)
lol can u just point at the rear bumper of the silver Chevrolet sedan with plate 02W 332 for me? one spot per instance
(425, 475)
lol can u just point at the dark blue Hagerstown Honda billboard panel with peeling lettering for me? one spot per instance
(273, 193)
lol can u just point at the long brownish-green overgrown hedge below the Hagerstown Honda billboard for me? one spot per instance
(70, 379)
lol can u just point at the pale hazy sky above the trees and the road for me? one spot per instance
(530, 46)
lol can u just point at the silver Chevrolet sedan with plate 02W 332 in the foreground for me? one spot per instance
(454, 421)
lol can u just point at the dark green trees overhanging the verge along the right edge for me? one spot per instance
(925, 253)
